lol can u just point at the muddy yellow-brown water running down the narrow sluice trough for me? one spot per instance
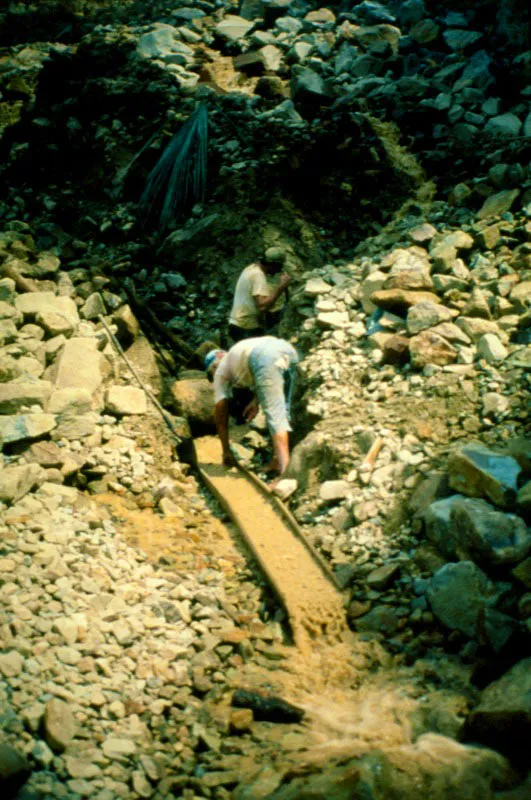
(314, 606)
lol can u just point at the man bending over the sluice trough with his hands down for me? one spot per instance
(266, 365)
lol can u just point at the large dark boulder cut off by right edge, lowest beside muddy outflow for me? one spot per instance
(502, 719)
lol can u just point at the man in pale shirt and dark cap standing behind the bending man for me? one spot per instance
(253, 295)
